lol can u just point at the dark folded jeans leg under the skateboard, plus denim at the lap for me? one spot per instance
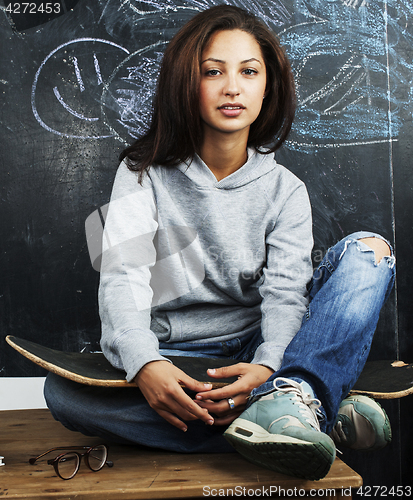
(123, 415)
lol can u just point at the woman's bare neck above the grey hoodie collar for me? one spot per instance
(224, 154)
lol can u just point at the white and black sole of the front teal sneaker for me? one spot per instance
(279, 453)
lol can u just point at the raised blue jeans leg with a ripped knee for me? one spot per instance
(346, 294)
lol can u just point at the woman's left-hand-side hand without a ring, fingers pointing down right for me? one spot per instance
(160, 383)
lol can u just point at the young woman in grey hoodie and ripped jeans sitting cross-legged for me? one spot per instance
(207, 252)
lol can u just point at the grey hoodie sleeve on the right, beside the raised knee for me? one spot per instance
(287, 272)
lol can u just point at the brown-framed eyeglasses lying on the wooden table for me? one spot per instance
(67, 464)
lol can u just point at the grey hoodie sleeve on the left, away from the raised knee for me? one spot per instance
(125, 294)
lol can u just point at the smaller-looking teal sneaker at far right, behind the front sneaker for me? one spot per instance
(361, 424)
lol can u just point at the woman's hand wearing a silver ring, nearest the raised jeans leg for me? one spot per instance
(215, 401)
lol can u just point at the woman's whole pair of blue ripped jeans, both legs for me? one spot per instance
(329, 351)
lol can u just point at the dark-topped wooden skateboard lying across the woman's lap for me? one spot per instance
(385, 379)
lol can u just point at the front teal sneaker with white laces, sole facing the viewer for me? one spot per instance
(281, 432)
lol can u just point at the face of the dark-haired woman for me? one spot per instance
(233, 82)
